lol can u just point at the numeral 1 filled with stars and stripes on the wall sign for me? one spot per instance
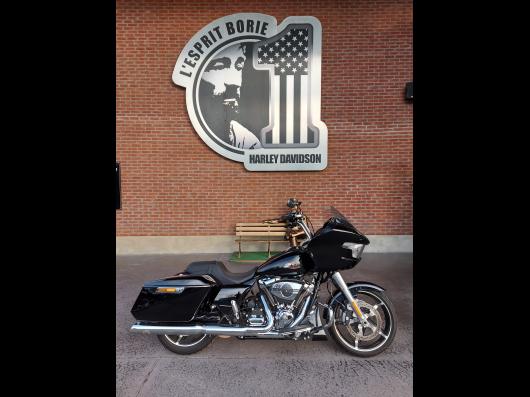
(290, 86)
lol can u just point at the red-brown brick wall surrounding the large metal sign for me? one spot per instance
(173, 184)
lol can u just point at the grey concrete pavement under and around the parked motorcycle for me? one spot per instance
(233, 367)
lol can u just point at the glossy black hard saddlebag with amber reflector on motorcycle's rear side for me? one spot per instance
(172, 299)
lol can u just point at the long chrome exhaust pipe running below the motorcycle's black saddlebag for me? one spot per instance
(207, 329)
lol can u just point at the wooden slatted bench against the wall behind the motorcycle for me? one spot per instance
(261, 233)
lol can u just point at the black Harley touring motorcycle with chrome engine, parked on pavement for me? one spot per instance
(278, 299)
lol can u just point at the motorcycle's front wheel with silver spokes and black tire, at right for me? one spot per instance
(364, 341)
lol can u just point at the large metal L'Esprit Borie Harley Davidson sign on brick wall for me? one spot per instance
(253, 90)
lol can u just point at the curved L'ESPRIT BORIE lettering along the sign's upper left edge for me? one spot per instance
(215, 34)
